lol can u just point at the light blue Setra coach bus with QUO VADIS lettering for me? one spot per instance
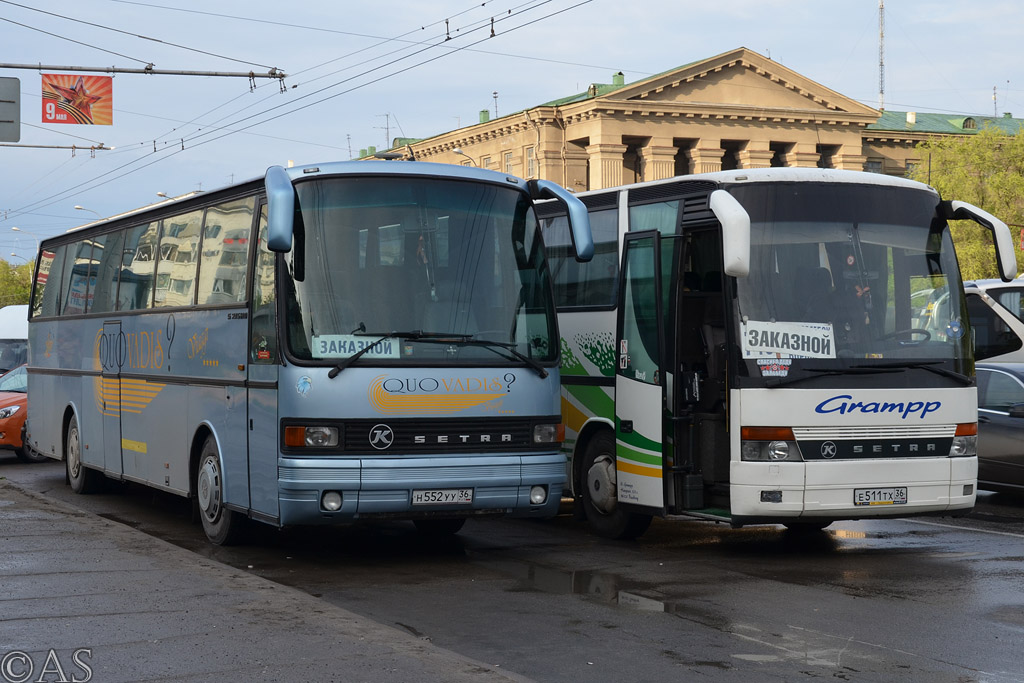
(356, 340)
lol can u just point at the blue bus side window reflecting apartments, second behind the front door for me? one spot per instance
(178, 260)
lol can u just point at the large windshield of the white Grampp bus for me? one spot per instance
(847, 277)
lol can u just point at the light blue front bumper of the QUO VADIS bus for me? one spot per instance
(383, 488)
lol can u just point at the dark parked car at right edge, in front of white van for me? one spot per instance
(1001, 426)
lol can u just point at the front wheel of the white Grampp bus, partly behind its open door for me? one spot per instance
(601, 494)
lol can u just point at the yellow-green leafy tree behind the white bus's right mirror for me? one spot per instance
(988, 170)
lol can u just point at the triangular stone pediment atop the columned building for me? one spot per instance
(743, 79)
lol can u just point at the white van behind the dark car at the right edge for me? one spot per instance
(997, 313)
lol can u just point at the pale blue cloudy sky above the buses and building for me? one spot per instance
(360, 74)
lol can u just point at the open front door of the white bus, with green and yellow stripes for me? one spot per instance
(641, 378)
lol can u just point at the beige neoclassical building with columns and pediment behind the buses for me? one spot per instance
(738, 110)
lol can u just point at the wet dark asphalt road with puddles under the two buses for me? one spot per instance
(901, 601)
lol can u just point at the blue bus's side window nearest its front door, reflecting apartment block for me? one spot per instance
(226, 252)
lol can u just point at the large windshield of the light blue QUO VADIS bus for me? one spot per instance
(422, 270)
